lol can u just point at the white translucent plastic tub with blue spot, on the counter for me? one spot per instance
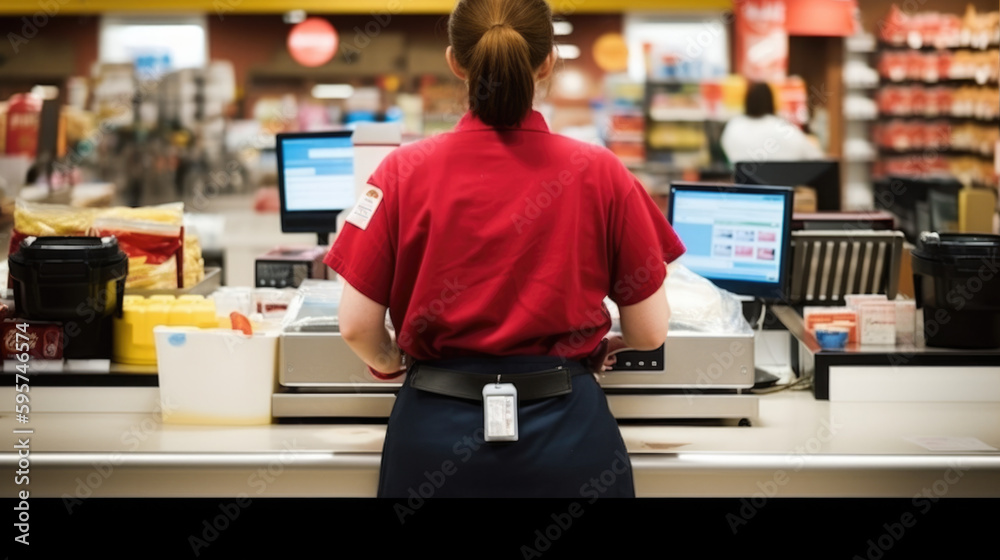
(215, 376)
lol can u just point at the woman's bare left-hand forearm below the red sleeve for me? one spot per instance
(362, 325)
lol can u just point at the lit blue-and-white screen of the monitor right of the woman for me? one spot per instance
(732, 236)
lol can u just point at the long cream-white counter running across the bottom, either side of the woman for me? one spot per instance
(797, 447)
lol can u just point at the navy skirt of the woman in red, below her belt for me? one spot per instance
(568, 447)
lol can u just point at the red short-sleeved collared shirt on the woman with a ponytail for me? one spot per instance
(505, 243)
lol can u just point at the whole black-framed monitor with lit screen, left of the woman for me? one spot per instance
(315, 180)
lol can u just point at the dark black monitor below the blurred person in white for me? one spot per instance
(821, 175)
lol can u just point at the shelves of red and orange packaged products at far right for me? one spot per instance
(937, 109)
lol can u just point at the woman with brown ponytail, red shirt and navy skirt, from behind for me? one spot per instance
(492, 247)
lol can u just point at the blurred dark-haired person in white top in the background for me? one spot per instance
(761, 135)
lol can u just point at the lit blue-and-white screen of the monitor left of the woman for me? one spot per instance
(318, 173)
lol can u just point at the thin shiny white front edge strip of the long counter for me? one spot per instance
(640, 461)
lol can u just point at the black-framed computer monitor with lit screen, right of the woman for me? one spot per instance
(737, 236)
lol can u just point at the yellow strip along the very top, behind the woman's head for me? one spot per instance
(222, 7)
